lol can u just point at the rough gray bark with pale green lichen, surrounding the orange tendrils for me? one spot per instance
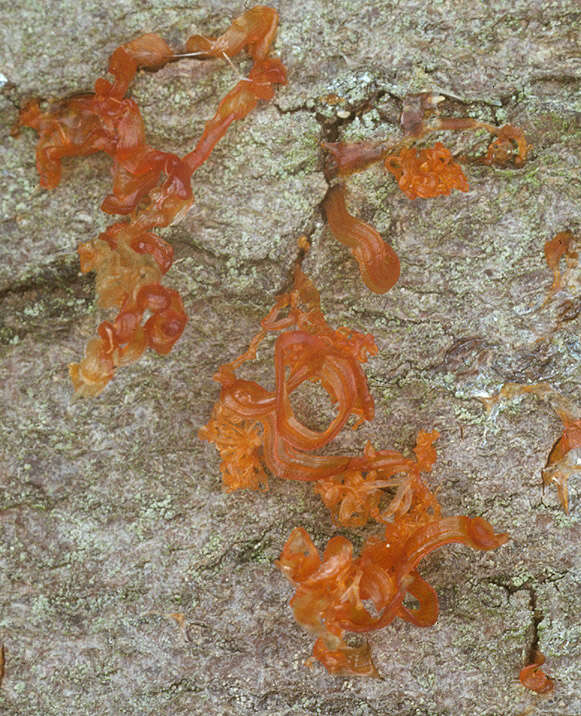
(112, 516)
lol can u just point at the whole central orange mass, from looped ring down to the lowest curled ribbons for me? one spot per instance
(254, 428)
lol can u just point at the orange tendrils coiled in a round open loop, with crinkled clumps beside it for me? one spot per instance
(254, 428)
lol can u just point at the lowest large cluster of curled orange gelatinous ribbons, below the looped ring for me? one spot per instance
(335, 591)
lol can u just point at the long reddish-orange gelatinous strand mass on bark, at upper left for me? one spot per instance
(152, 187)
